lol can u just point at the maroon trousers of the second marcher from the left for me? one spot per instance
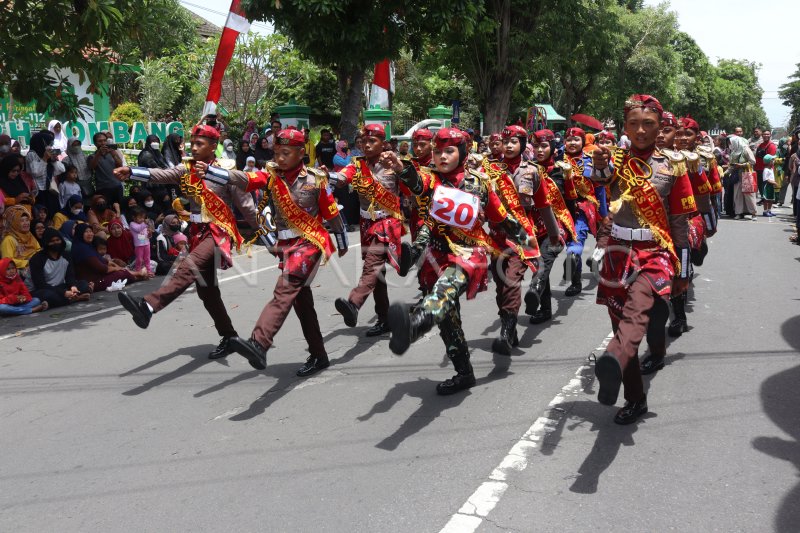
(291, 291)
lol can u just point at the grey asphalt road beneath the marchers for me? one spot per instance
(106, 427)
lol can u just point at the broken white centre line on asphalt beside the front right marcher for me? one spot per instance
(478, 506)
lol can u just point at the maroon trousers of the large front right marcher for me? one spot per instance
(644, 313)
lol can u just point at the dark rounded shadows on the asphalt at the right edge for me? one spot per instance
(780, 396)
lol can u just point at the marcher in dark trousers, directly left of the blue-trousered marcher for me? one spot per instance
(538, 300)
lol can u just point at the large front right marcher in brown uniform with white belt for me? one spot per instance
(648, 247)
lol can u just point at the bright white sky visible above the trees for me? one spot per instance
(724, 29)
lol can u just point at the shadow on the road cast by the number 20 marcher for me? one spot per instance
(432, 405)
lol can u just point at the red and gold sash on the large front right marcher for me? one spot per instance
(633, 177)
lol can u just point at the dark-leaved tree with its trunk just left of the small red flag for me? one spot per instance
(351, 36)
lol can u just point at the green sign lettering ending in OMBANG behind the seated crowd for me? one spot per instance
(21, 130)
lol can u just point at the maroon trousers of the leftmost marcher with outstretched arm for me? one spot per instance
(200, 268)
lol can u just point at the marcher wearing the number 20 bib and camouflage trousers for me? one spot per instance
(454, 203)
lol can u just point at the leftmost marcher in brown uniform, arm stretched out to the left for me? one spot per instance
(212, 230)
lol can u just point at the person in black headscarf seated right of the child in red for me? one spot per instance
(53, 274)
